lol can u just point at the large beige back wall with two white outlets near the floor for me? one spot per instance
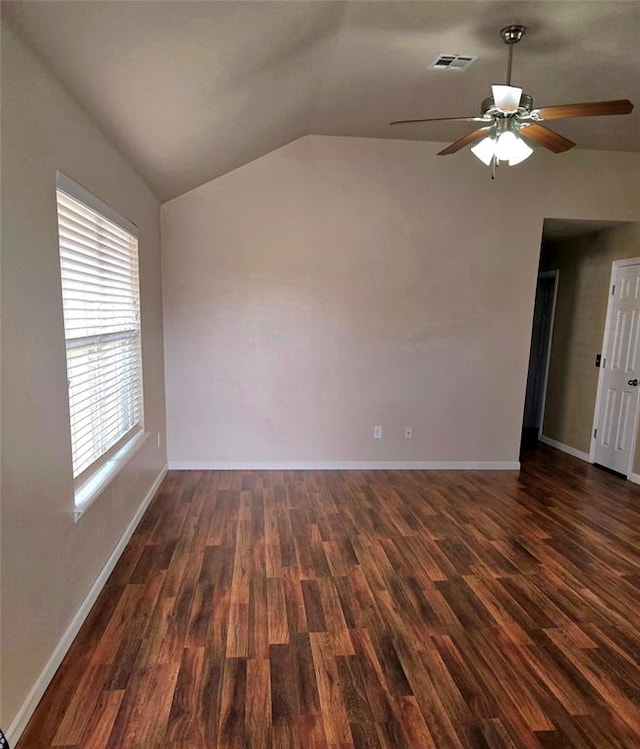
(339, 283)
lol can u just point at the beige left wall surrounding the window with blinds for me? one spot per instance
(49, 563)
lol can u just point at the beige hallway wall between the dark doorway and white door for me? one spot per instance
(584, 265)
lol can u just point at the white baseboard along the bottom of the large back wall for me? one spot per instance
(344, 465)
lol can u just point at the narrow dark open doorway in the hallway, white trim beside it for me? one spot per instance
(539, 357)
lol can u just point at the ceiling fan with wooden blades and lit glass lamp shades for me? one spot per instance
(510, 119)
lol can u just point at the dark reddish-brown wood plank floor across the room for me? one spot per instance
(366, 609)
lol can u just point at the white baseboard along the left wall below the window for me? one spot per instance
(19, 723)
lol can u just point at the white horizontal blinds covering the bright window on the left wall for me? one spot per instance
(101, 300)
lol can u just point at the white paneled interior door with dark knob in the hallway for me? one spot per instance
(616, 413)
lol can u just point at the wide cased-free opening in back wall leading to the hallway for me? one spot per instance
(564, 415)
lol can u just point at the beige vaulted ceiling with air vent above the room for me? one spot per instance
(191, 90)
